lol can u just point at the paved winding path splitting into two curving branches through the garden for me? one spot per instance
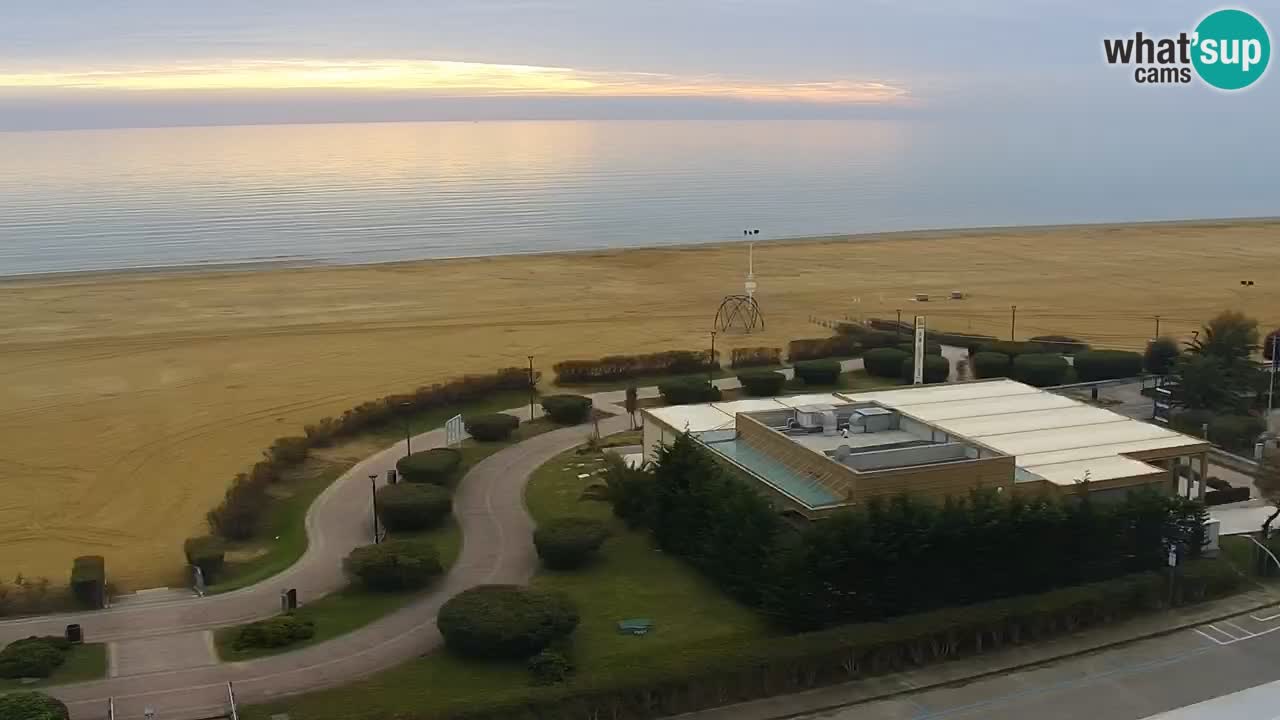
(497, 549)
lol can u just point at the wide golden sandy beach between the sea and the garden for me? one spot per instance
(130, 402)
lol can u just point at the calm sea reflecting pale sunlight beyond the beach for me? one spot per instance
(373, 193)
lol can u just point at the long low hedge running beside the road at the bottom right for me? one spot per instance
(728, 671)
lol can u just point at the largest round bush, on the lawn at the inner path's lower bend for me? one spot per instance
(505, 622)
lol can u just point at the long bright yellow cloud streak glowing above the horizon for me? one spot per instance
(450, 78)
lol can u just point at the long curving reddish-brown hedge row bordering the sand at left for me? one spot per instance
(240, 514)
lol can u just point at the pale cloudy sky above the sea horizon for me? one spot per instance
(143, 63)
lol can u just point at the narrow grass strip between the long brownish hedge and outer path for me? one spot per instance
(284, 537)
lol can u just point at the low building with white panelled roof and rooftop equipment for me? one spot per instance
(824, 452)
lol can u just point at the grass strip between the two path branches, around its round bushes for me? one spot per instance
(355, 608)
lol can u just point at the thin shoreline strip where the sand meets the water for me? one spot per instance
(240, 267)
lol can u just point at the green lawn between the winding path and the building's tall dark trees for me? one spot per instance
(632, 580)
